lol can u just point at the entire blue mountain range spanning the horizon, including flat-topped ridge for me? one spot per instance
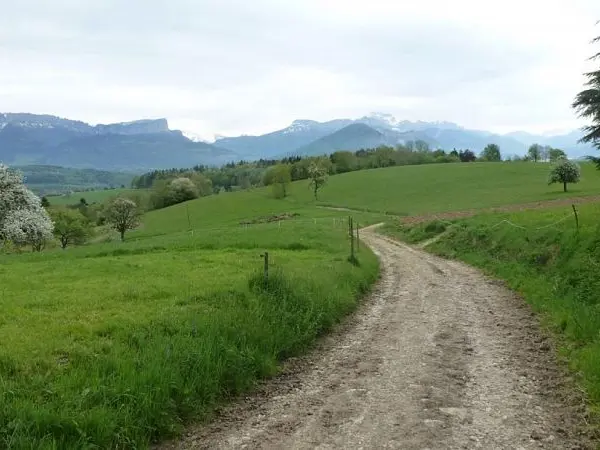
(142, 145)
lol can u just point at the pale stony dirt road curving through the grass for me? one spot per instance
(439, 357)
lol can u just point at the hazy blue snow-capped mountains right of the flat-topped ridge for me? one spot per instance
(312, 137)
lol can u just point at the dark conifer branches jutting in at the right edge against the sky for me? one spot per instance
(587, 105)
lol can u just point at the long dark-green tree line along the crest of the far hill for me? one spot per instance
(171, 186)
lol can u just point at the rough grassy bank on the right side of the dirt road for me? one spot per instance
(543, 256)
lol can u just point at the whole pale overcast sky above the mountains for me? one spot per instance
(237, 66)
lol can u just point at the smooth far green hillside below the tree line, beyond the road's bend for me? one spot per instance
(410, 190)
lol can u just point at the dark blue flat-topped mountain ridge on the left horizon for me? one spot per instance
(31, 139)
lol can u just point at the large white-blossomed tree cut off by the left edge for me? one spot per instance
(23, 220)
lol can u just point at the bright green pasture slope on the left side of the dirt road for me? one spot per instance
(115, 345)
